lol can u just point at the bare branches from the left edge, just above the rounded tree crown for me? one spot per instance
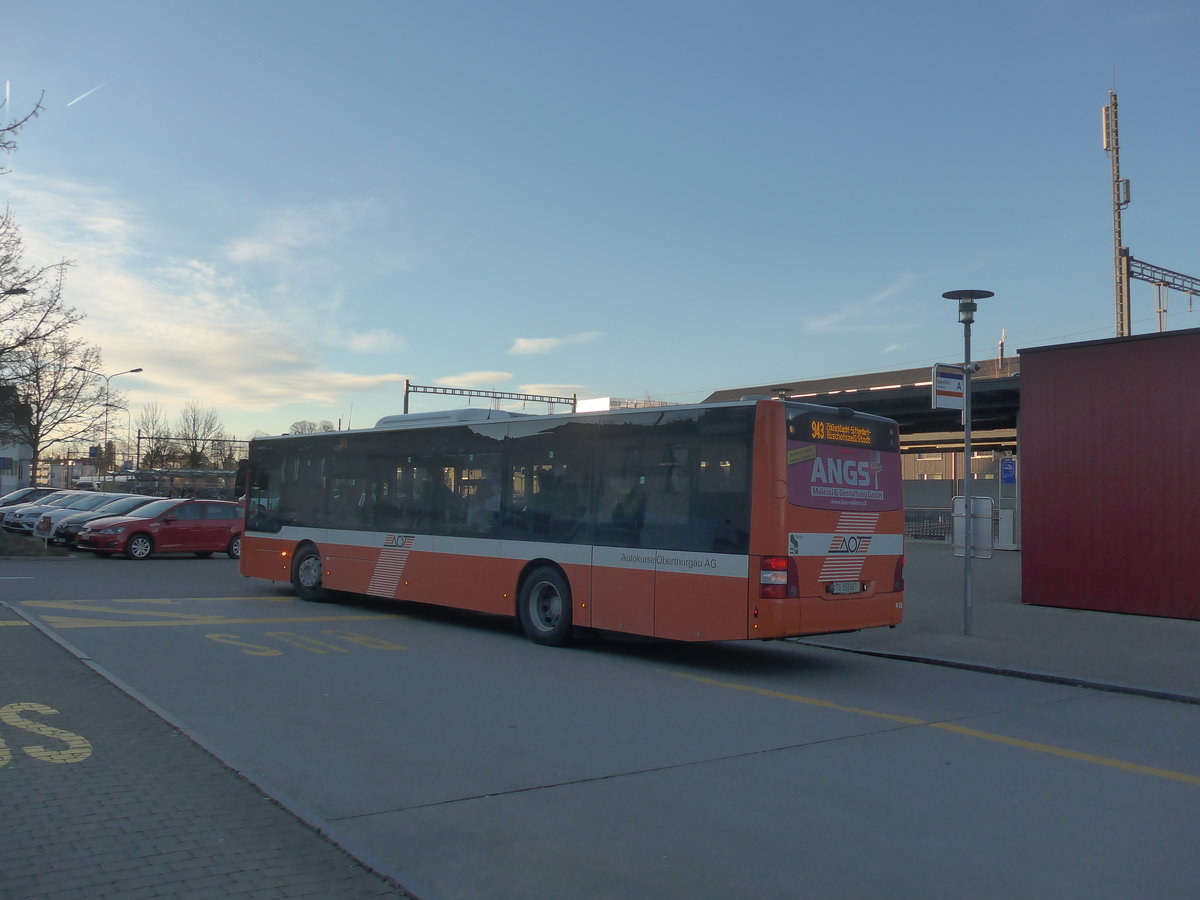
(32, 307)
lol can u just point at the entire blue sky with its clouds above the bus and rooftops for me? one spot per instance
(281, 211)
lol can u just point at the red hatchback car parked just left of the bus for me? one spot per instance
(200, 527)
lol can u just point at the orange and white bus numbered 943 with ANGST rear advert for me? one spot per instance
(757, 519)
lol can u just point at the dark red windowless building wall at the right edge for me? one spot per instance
(1111, 475)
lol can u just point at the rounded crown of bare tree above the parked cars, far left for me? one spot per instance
(61, 405)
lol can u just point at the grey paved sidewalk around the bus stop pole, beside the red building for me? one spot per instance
(1141, 655)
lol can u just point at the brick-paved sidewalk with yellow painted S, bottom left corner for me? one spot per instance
(103, 799)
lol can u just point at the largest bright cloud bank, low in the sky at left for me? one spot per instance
(202, 329)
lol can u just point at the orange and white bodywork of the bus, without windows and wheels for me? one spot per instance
(853, 547)
